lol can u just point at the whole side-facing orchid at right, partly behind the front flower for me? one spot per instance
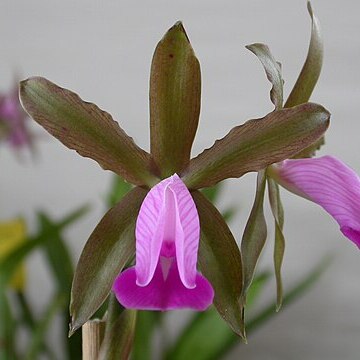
(326, 181)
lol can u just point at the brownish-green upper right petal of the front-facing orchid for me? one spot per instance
(258, 143)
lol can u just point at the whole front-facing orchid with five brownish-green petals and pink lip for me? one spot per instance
(172, 229)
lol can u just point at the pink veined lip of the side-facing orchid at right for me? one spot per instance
(328, 182)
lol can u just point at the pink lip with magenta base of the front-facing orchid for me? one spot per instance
(167, 241)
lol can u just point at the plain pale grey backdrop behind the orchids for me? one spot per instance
(103, 49)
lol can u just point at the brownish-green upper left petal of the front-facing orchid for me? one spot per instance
(84, 127)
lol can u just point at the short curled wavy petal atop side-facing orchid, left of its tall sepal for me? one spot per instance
(273, 72)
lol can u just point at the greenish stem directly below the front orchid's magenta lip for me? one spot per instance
(146, 323)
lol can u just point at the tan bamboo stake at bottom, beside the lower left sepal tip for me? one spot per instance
(92, 334)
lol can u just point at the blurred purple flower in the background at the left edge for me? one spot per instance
(13, 121)
